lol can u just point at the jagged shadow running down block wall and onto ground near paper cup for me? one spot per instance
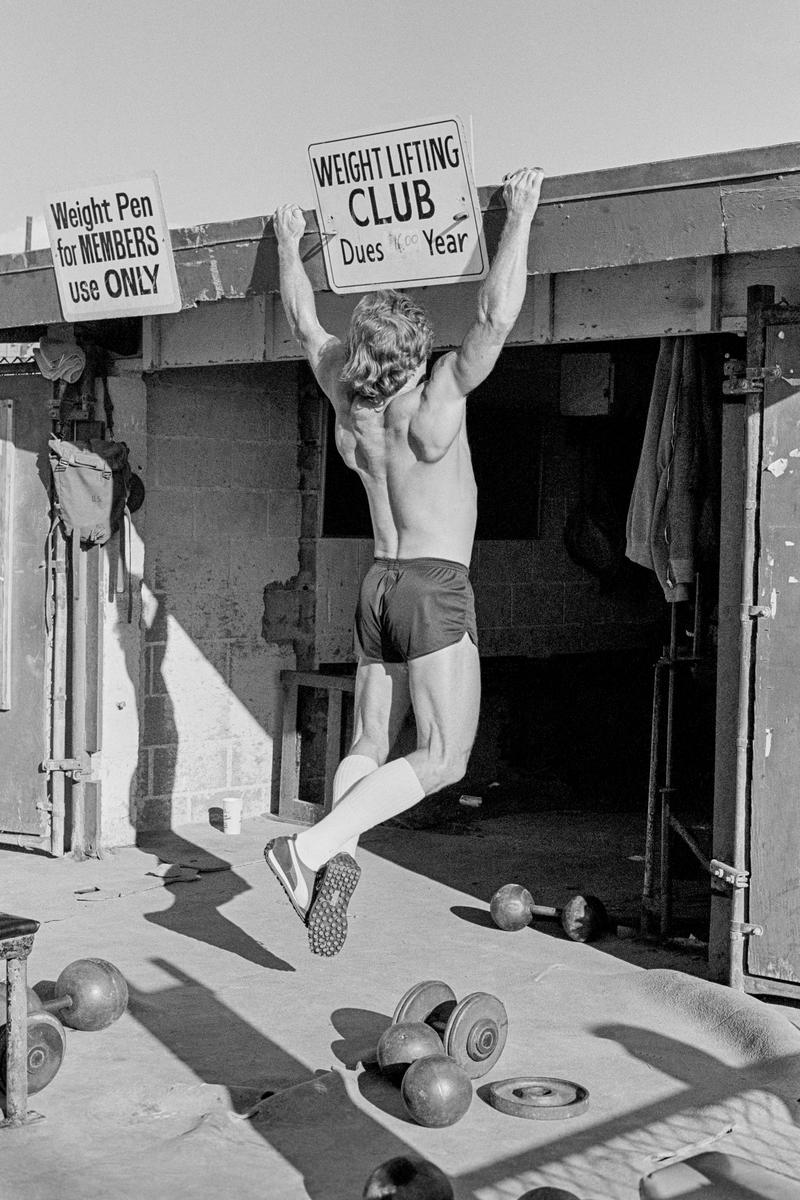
(195, 911)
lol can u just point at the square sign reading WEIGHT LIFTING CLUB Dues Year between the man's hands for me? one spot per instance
(399, 209)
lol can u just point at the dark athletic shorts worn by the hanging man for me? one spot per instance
(414, 607)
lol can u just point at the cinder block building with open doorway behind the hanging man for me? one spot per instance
(246, 554)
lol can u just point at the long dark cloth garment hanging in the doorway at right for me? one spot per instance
(671, 507)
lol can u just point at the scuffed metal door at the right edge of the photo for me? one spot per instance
(775, 783)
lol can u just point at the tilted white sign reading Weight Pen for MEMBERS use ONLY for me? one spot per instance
(112, 251)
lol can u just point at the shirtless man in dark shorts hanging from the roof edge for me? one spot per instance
(406, 436)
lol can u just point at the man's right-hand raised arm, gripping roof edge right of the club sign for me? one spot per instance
(503, 292)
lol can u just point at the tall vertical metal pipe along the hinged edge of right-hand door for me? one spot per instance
(759, 298)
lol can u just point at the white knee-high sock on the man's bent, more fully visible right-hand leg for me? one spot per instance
(380, 796)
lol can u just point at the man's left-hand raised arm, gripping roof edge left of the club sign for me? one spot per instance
(323, 351)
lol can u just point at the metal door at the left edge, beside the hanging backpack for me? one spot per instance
(25, 683)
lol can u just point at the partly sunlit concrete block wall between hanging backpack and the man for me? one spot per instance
(222, 537)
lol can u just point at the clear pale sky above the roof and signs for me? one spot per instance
(222, 98)
